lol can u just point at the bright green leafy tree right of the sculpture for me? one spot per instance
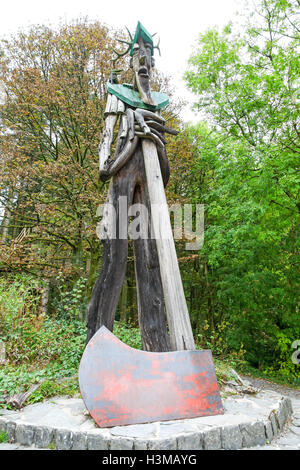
(248, 176)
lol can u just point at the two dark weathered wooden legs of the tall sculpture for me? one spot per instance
(107, 289)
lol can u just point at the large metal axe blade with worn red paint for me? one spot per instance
(121, 385)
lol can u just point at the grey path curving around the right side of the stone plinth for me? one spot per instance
(290, 439)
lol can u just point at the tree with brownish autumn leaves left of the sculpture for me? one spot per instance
(51, 123)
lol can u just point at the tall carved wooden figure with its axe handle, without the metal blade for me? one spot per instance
(139, 170)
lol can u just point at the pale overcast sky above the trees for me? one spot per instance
(178, 24)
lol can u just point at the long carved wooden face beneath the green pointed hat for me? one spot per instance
(142, 62)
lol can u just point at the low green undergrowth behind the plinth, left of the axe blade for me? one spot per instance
(40, 347)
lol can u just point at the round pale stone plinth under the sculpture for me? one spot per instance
(65, 424)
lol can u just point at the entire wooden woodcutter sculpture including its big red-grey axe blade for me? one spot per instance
(121, 385)
